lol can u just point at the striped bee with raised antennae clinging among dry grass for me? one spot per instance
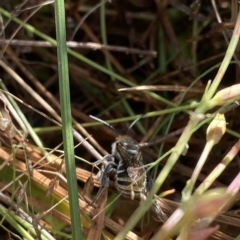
(131, 178)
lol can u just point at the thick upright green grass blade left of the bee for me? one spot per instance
(67, 119)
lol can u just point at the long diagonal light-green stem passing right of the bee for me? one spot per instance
(183, 140)
